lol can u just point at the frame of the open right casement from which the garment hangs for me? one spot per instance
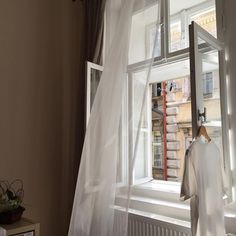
(196, 73)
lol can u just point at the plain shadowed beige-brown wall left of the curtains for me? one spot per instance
(40, 76)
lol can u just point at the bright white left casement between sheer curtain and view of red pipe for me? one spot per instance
(142, 149)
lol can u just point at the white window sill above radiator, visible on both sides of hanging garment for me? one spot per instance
(160, 200)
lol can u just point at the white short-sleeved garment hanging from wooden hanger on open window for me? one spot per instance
(203, 183)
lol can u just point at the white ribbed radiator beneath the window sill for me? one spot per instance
(144, 226)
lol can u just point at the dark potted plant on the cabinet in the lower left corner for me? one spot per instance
(11, 196)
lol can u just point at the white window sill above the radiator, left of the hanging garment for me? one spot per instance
(158, 198)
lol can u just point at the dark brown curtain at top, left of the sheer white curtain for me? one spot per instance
(94, 25)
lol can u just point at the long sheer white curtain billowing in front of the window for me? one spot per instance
(96, 211)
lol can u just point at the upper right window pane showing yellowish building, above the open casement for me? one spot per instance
(182, 12)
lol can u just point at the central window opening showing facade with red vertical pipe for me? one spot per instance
(171, 120)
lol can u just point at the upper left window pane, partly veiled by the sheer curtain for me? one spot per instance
(146, 19)
